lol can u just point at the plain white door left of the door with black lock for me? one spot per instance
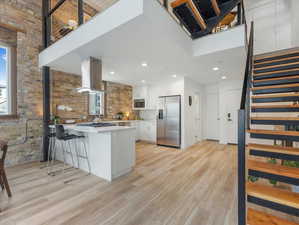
(212, 116)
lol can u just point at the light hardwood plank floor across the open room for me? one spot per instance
(167, 187)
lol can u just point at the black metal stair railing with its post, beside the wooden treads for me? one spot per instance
(243, 125)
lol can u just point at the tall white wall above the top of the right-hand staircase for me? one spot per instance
(272, 20)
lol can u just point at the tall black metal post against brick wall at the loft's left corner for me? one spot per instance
(46, 23)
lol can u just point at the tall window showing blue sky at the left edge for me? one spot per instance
(5, 90)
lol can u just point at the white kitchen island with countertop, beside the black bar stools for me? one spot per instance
(111, 150)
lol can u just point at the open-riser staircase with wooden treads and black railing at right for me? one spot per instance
(271, 86)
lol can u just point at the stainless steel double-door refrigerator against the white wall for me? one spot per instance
(169, 121)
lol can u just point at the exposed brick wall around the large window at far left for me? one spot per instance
(24, 15)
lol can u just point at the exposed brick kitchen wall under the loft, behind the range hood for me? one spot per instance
(118, 97)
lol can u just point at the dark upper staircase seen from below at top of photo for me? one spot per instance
(200, 17)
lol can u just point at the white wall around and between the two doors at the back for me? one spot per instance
(220, 88)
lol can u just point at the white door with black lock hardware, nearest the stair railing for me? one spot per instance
(233, 99)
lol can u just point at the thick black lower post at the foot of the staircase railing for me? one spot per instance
(241, 168)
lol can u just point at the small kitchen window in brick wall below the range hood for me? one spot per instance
(97, 104)
